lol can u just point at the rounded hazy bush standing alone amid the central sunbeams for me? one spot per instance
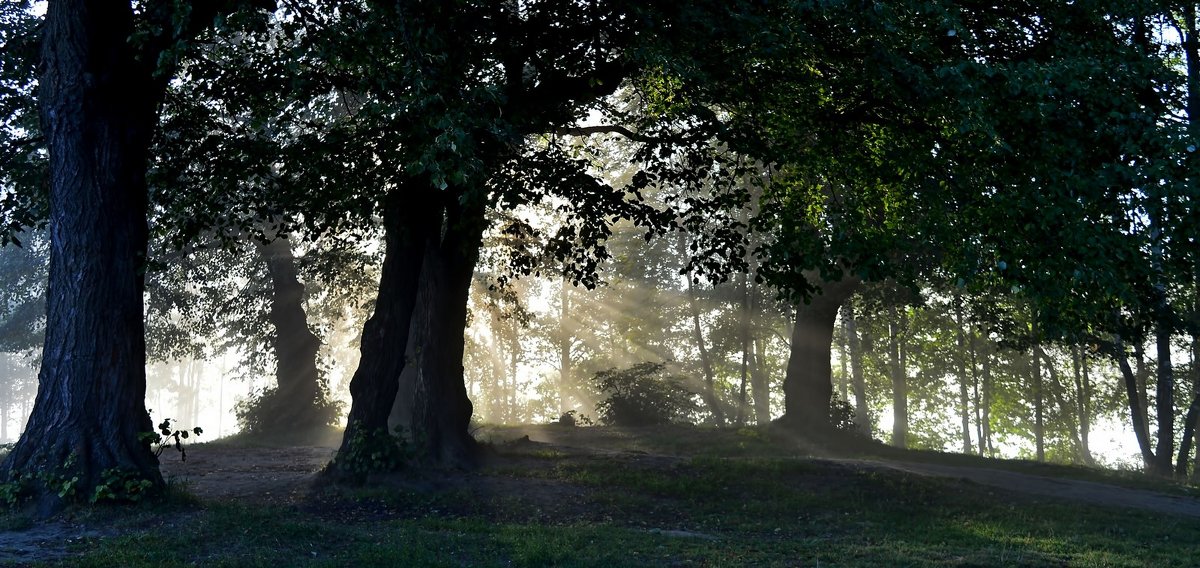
(644, 396)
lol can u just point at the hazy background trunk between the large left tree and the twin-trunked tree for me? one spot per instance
(298, 381)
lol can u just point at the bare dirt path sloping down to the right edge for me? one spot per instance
(1047, 487)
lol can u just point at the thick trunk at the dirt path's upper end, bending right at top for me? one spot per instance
(808, 385)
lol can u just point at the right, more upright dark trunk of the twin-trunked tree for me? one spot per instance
(441, 408)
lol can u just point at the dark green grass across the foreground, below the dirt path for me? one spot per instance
(669, 498)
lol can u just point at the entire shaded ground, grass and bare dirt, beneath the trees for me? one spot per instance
(610, 497)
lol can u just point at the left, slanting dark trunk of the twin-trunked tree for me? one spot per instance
(410, 219)
